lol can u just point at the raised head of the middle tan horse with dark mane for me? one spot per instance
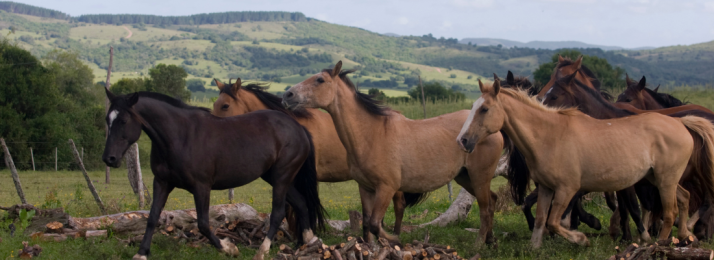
(318, 91)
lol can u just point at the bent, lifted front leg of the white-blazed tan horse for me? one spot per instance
(560, 202)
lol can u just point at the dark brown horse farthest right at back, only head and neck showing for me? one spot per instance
(639, 96)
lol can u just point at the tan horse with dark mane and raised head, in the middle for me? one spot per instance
(388, 152)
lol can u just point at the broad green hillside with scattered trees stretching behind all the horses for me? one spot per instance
(285, 48)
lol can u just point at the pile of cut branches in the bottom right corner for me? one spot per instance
(671, 248)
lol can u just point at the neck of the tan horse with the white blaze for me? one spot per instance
(529, 128)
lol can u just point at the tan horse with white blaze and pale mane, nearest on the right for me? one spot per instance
(651, 146)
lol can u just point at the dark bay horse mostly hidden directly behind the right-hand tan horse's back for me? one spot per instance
(569, 92)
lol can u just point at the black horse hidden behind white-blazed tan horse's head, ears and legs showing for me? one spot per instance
(578, 213)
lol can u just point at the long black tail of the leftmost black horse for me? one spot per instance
(306, 183)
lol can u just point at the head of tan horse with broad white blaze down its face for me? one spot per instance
(487, 117)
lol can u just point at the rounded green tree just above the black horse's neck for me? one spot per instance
(169, 80)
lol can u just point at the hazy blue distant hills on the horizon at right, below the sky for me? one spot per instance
(551, 45)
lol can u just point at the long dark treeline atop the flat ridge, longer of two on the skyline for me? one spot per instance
(196, 19)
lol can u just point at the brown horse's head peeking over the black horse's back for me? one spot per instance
(231, 100)
